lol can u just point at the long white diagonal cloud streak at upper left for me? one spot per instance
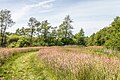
(25, 10)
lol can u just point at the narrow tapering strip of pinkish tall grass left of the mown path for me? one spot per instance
(5, 53)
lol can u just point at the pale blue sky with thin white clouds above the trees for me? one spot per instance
(91, 15)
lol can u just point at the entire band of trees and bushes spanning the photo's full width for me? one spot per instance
(41, 33)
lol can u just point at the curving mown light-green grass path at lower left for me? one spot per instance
(24, 67)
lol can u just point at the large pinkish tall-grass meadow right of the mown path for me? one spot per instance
(69, 63)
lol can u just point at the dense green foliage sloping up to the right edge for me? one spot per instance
(108, 36)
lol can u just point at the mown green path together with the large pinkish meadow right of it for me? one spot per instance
(63, 63)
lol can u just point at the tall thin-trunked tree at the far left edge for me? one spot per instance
(5, 22)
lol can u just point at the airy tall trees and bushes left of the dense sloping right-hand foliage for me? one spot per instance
(38, 33)
